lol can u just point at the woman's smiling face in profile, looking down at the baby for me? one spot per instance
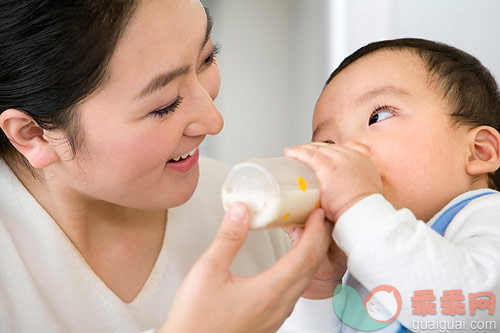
(155, 106)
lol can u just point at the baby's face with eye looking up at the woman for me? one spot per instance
(384, 101)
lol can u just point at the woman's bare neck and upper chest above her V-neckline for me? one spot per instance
(120, 244)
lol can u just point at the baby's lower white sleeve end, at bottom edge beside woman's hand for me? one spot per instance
(312, 315)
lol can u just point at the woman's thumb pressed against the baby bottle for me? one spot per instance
(230, 238)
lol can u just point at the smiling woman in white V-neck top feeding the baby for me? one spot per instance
(104, 105)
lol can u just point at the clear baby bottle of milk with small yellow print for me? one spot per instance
(278, 191)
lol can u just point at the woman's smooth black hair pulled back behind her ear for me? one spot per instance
(53, 54)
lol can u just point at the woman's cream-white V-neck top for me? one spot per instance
(46, 285)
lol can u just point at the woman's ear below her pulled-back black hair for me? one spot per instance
(28, 138)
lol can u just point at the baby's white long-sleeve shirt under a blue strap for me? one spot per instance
(389, 246)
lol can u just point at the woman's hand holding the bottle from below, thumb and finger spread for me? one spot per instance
(212, 299)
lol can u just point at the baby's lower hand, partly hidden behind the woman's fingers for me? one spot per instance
(330, 272)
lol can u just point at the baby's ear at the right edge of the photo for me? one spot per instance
(484, 149)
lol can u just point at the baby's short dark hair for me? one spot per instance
(468, 87)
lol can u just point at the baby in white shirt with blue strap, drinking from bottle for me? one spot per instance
(407, 150)
